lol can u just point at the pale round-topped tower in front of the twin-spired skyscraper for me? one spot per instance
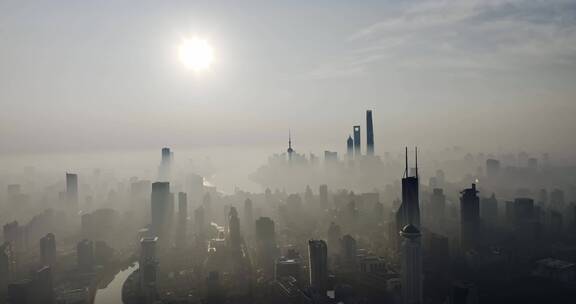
(411, 271)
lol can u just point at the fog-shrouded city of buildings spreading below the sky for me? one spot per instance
(340, 234)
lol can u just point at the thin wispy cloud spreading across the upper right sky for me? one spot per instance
(465, 36)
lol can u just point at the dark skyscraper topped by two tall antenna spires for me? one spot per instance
(409, 211)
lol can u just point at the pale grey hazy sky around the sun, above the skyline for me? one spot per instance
(80, 75)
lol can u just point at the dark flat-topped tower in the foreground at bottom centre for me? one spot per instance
(318, 260)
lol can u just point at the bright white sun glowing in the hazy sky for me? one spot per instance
(196, 54)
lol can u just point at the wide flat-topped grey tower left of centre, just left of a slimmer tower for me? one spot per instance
(160, 200)
